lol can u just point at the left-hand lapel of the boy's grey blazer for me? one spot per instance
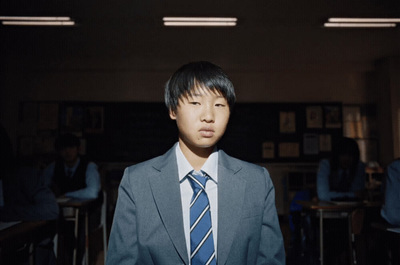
(166, 192)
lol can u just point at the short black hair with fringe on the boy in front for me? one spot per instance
(202, 73)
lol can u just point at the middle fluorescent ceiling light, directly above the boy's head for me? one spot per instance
(200, 21)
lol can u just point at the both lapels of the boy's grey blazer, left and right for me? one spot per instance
(231, 191)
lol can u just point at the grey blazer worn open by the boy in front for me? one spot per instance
(148, 223)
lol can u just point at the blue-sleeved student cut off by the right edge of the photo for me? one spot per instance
(391, 208)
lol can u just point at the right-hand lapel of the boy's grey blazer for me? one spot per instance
(231, 190)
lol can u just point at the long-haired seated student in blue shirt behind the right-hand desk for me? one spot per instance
(342, 177)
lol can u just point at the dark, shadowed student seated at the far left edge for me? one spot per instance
(24, 197)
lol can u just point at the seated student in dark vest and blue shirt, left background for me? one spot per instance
(72, 175)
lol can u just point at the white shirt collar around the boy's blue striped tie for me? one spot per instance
(210, 166)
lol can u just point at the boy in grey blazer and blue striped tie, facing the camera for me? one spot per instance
(195, 204)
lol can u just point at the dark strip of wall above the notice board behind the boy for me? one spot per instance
(117, 86)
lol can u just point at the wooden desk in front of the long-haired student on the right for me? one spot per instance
(324, 210)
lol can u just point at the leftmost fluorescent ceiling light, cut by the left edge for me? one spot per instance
(36, 21)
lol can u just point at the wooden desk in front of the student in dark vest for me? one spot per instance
(80, 208)
